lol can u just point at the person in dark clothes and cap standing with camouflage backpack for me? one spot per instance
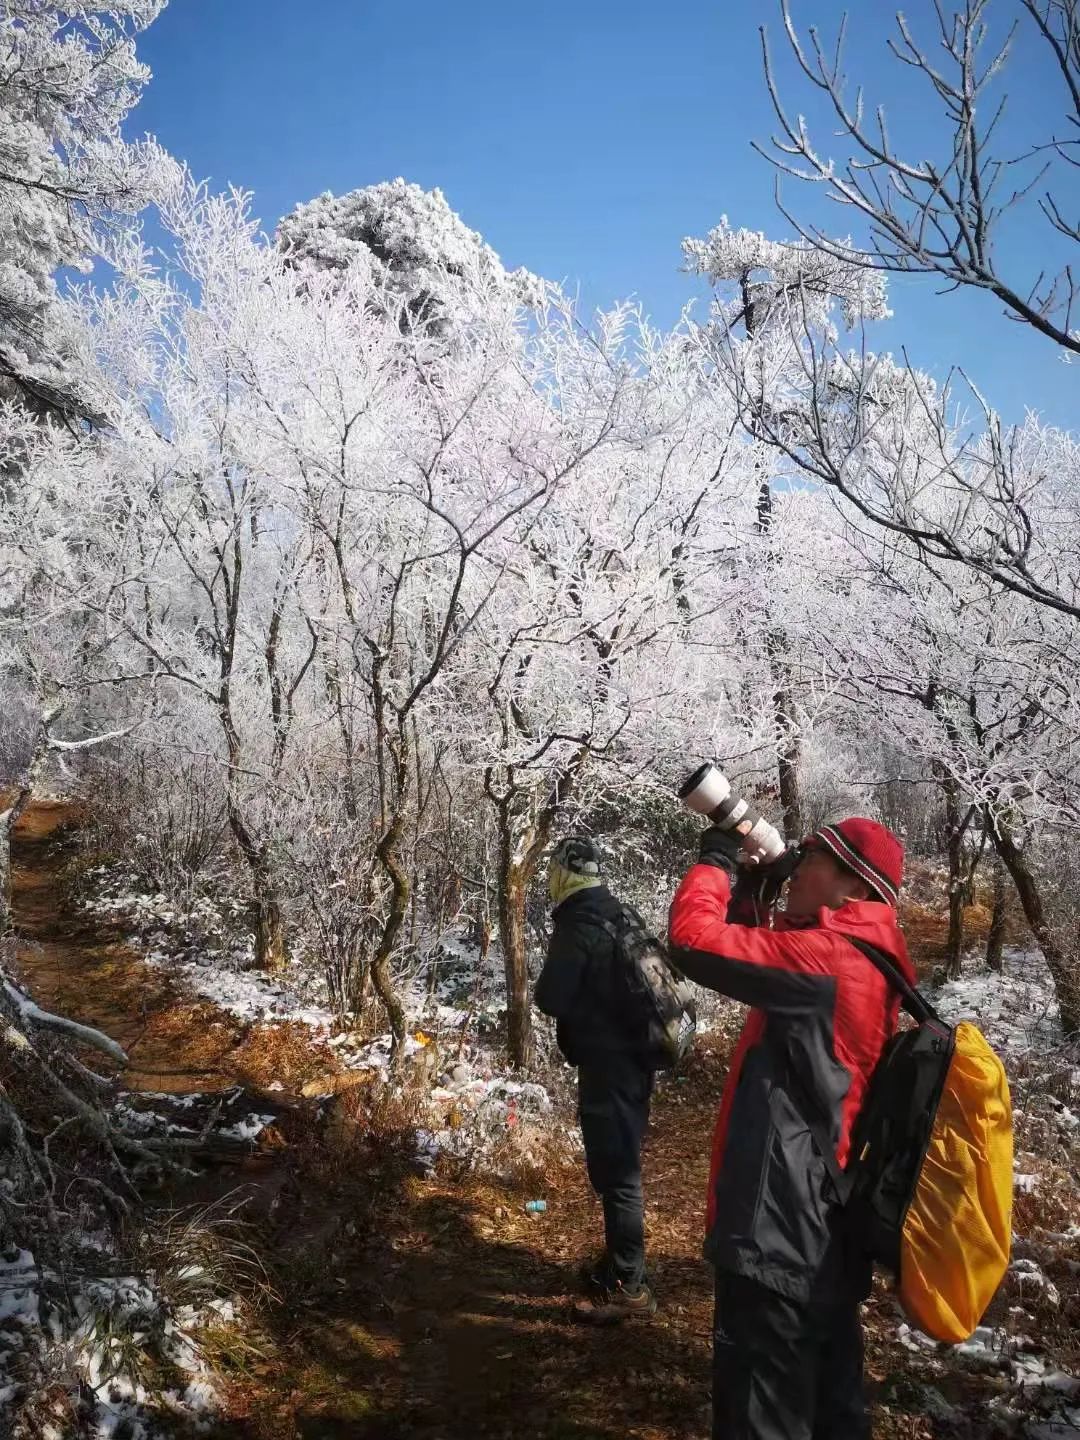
(581, 987)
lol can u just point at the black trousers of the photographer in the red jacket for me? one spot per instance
(786, 1370)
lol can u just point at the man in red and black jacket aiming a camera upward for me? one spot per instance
(788, 1340)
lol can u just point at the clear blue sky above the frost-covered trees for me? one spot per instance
(584, 140)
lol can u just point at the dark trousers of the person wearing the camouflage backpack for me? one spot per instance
(614, 1094)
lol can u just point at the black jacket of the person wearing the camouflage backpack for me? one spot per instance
(580, 986)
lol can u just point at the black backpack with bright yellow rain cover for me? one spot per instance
(930, 1183)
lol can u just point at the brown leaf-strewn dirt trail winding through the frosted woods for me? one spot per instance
(408, 1307)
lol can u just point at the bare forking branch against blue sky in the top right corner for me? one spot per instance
(942, 215)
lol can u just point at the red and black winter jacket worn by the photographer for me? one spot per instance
(822, 1014)
